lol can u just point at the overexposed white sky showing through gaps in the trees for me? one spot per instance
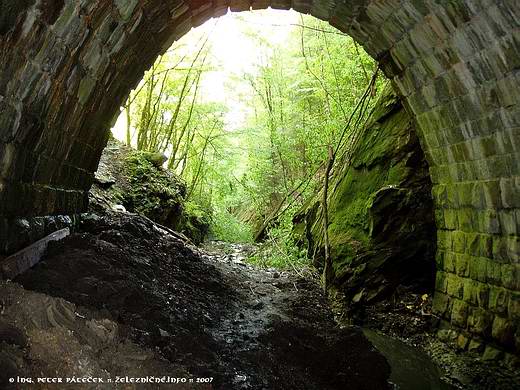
(235, 52)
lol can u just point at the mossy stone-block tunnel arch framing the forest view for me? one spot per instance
(67, 65)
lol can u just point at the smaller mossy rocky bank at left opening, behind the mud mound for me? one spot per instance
(135, 180)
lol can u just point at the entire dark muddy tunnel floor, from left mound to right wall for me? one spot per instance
(123, 297)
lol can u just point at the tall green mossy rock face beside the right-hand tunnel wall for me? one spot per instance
(382, 229)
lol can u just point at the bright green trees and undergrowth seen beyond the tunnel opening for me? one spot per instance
(303, 100)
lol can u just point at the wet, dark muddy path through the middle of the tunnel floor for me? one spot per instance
(280, 334)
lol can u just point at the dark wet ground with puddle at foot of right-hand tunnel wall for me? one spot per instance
(401, 328)
